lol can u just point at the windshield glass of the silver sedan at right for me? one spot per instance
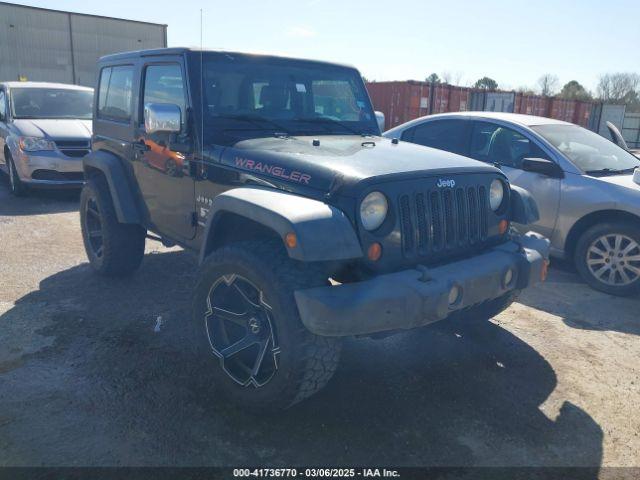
(587, 150)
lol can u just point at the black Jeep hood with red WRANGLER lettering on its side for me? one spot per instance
(349, 159)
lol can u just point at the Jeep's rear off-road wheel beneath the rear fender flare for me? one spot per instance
(122, 245)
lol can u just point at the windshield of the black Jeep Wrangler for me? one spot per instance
(246, 96)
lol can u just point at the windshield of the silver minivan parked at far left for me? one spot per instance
(51, 103)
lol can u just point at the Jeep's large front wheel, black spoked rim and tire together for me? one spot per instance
(257, 352)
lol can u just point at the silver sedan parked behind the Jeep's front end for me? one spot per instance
(587, 188)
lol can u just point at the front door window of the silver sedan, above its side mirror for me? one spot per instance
(497, 144)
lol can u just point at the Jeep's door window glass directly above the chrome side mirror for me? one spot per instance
(164, 84)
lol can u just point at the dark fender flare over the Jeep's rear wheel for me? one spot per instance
(124, 200)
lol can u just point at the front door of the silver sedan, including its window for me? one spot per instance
(507, 147)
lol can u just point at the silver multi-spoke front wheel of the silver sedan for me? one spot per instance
(608, 258)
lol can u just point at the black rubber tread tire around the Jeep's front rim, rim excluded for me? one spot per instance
(305, 361)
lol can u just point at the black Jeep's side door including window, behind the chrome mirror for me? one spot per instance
(162, 172)
